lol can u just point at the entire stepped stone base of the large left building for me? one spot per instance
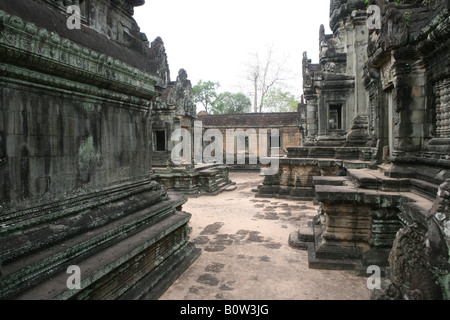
(130, 242)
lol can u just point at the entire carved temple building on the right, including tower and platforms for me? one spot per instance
(377, 149)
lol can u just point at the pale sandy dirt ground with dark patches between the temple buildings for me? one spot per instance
(246, 255)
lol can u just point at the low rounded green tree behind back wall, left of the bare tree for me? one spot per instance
(229, 103)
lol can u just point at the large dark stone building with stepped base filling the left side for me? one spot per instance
(78, 110)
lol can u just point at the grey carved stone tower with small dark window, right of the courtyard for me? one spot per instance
(334, 88)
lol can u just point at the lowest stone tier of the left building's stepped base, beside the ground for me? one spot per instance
(117, 269)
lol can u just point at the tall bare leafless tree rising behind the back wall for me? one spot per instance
(264, 76)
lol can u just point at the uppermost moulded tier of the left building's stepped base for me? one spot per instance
(30, 230)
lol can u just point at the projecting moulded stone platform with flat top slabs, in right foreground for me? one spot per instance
(360, 216)
